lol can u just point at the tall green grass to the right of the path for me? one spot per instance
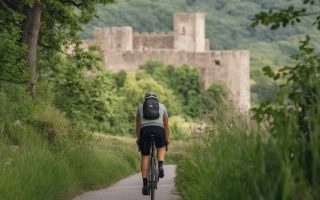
(235, 159)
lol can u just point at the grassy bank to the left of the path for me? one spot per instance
(42, 156)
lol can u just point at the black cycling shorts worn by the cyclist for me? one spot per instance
(145, 143)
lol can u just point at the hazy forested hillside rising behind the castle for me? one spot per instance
(227, 24)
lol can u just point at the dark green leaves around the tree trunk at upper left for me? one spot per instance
(60, 21)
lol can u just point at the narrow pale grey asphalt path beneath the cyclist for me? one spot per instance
(130, 189)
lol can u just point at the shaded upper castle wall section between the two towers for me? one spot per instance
(144, 41)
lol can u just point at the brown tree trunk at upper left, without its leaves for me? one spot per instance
(30, 34)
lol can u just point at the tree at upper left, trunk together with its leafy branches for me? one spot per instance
(46, 26)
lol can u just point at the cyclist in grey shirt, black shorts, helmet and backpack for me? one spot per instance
(151, 121)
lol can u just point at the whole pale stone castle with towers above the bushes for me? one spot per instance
(125, 49)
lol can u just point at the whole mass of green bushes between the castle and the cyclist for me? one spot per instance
(108, 102)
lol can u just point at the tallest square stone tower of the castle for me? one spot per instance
(189, 32)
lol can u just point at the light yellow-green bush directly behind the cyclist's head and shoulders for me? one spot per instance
(132, 95)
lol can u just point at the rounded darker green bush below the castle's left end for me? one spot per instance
(87, 99)
